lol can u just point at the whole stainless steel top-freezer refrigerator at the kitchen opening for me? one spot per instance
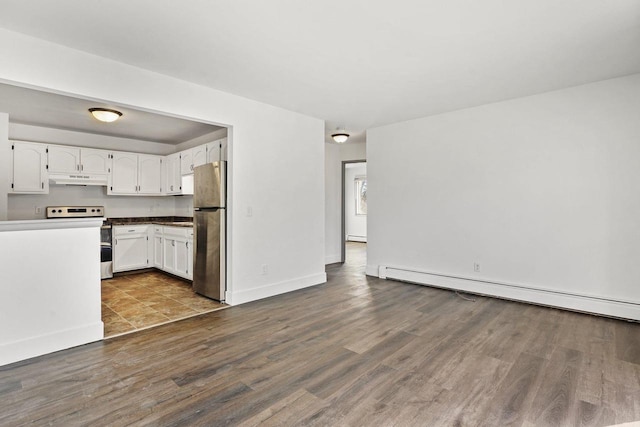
(209, 222)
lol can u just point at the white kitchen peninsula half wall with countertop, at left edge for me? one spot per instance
(49, 286)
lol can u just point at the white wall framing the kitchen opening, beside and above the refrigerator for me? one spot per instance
(268, 145)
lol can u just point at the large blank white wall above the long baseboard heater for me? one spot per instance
(542, 192)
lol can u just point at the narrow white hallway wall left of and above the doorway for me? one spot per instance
(334, 155)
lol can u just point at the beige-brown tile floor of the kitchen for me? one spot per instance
(139, 301)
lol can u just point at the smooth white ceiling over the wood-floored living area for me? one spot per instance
(355, 63)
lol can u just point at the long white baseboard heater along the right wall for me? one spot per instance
(548, 297)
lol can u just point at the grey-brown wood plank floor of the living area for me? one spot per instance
(356, 351)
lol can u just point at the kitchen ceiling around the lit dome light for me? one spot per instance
(33, 107)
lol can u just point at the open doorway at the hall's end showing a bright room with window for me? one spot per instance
(354, 209)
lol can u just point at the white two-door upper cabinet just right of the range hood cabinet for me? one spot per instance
(135, 174)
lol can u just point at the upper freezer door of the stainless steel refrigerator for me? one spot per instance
(210, 185)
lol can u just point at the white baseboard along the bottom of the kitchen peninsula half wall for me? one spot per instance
(43, 344)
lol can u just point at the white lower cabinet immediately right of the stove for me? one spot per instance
(130, 247)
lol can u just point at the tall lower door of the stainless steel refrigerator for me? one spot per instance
(209, 275)
